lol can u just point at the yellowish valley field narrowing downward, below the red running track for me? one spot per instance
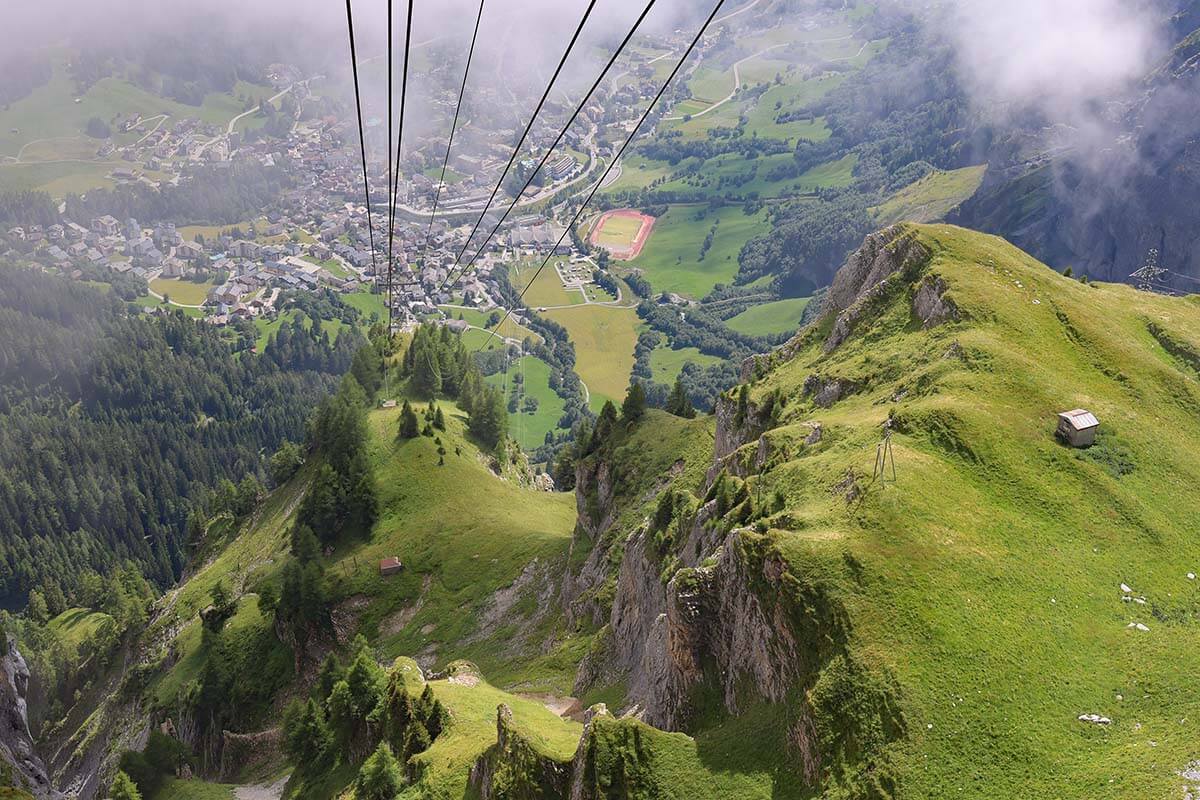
(604, 339)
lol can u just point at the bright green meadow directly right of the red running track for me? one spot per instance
(671, 257)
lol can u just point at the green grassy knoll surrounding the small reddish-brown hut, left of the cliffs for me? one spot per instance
(463, 534)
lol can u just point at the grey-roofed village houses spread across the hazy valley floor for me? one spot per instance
(316, 237)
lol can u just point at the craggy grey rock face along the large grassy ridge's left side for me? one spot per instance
(703, 615)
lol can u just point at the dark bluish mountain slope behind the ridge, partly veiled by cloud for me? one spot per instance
(1102, 207)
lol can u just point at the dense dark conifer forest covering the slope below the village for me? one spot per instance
(113, 424)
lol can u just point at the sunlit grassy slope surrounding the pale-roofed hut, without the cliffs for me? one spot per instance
(989, 573)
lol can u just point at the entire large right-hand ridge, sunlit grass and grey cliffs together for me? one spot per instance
(934, 628)
